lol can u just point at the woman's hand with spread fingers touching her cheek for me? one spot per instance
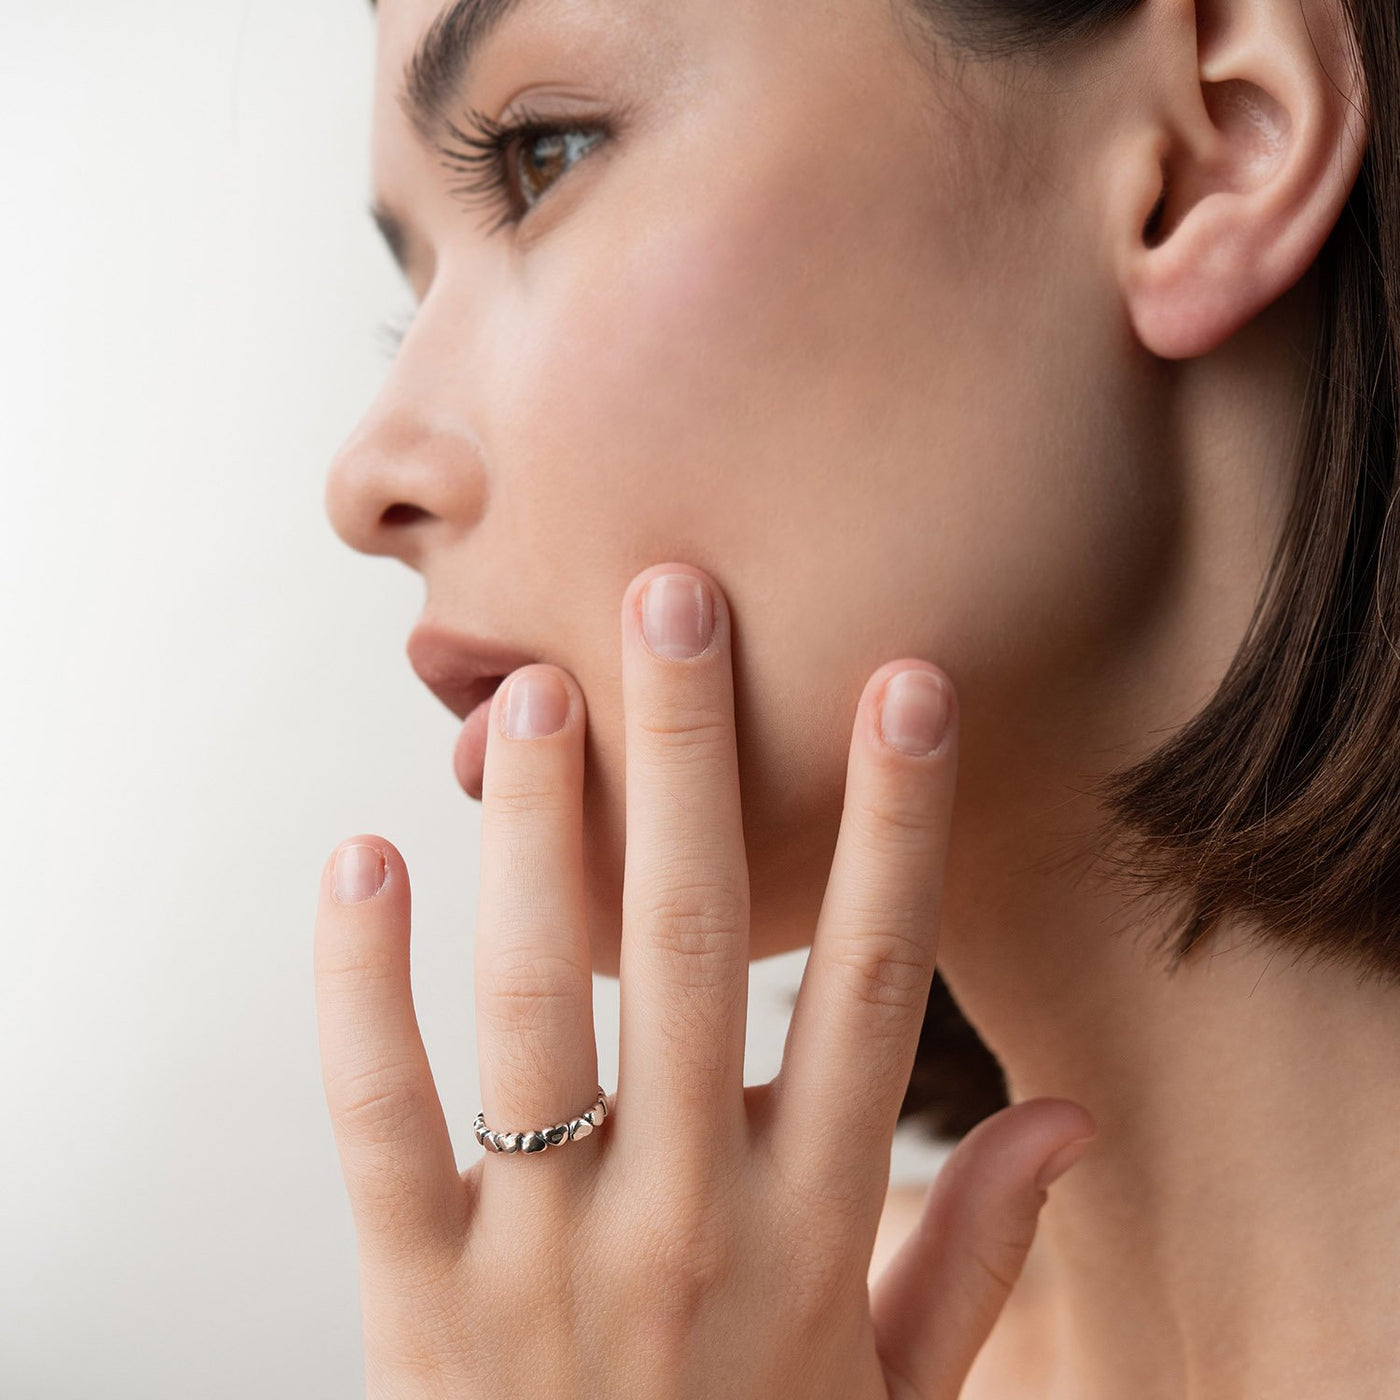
(705, 1240)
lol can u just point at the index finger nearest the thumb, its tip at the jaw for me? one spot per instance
(855, 1030)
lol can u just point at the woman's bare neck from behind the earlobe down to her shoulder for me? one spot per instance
(1233, 1231)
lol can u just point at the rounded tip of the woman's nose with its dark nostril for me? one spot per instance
(405, 479)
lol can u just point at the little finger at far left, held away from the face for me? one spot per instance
(395, 1151)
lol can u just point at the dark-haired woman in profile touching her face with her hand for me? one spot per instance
(1044, 352)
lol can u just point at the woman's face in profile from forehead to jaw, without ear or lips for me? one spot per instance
(789, 302)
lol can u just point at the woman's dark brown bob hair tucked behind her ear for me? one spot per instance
(1279, 804)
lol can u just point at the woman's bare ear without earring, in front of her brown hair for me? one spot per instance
(1259, 125)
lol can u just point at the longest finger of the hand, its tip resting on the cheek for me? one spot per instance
(685, 948)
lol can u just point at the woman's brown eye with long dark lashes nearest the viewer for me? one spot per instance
(514, 164)
